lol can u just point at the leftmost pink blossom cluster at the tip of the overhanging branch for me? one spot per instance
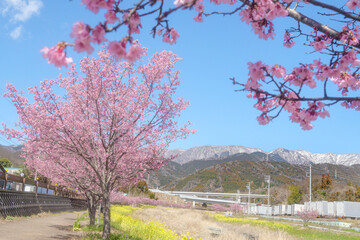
(56, 55)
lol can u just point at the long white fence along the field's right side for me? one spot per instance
(324, 208)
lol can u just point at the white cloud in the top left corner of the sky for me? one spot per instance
(20, 10)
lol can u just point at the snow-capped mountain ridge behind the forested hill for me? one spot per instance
(299, 157)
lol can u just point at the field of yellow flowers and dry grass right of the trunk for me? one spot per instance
(160, 223)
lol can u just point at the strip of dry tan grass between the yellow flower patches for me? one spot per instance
(201, 226)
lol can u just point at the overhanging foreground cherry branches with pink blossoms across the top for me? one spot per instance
(331, 28)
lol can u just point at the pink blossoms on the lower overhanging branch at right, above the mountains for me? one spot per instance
(303, 75)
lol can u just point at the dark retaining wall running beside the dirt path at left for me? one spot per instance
(14, 203)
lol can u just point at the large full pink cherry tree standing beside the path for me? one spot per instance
(114, 122)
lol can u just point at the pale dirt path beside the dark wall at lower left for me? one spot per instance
(57, 226)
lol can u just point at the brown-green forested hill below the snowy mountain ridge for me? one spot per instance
(233, 173)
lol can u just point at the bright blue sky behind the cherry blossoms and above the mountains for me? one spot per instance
(212, 52)
